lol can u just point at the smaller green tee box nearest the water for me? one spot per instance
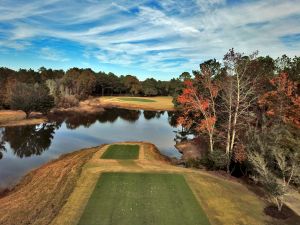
(121, 152)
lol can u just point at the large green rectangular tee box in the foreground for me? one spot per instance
(142, 198)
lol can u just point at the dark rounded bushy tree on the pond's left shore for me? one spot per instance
(29, 98)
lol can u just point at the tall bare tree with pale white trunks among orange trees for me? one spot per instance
(238, 95)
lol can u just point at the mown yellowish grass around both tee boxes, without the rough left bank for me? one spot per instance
(224, 201)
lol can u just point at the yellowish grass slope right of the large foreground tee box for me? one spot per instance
(227, 202)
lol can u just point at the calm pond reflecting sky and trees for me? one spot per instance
(27, 147)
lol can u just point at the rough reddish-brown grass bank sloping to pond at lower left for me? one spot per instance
(38, 198)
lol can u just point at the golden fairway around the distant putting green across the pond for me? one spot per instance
(161, 103)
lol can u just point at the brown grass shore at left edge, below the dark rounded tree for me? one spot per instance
(18, 118)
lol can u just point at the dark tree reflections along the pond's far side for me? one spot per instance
(35, 139)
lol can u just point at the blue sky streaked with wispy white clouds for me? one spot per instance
(146, 38)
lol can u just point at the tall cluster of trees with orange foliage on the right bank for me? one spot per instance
(247, 111)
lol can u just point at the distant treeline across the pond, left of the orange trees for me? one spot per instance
(40, 90)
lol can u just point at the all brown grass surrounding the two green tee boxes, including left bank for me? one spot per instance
(57, 193)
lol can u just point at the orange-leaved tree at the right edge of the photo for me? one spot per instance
(282, 103)
